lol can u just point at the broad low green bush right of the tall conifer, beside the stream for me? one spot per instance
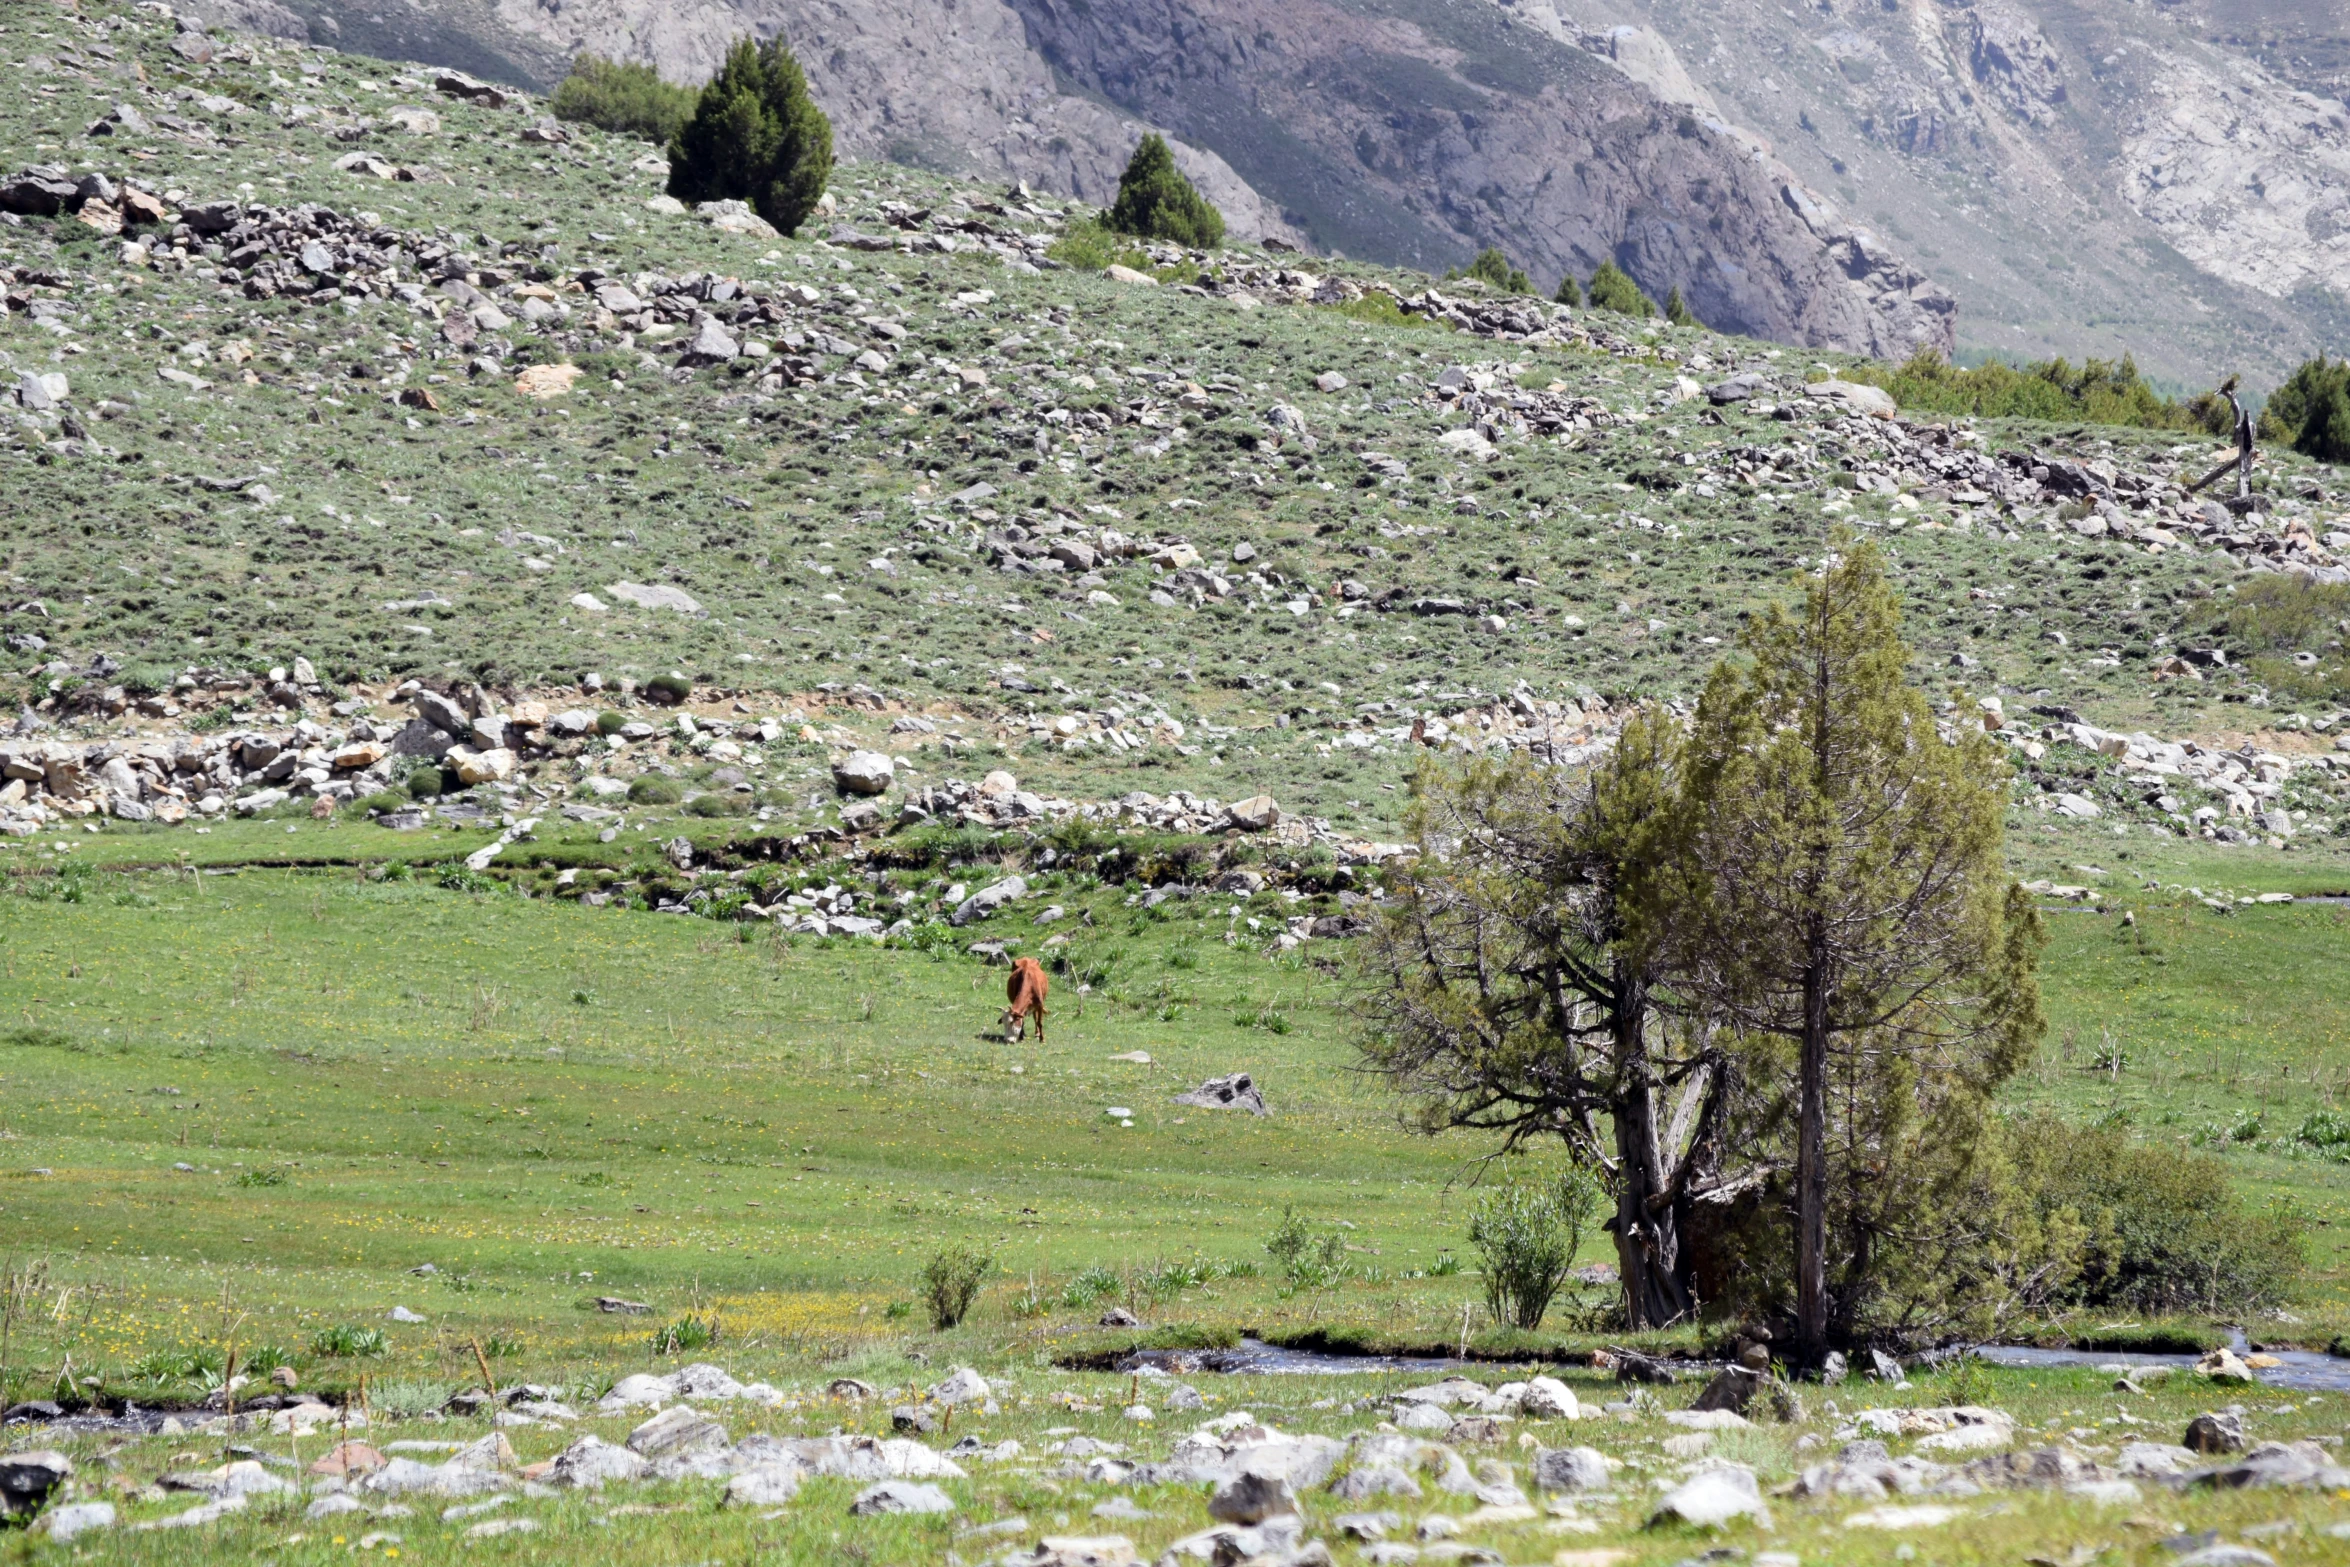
(2163, 1228)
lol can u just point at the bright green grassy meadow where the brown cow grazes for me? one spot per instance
(553, 1103)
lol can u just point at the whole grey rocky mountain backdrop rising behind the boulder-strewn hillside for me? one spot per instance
(2083, 177)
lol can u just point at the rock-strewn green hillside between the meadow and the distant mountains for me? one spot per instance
(335, 384)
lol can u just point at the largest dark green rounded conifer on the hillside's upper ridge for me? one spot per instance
(756, 135)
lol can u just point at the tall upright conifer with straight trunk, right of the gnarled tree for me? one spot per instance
(1848, 896)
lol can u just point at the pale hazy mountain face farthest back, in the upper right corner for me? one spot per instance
(2088, 177)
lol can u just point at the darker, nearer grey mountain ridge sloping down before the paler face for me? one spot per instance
(1395, 130)
